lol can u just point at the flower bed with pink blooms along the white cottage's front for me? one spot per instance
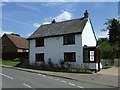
(61, 67)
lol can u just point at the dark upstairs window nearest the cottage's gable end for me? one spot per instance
(69, 39)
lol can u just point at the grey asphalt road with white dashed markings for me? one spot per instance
(12, 78)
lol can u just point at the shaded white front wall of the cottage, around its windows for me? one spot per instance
(55, 49)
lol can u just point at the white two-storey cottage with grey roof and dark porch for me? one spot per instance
(72, 40)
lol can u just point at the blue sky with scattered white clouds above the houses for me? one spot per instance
(25, 17)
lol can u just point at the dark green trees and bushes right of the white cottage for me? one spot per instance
(110, 47)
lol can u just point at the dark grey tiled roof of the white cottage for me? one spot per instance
(60, 28)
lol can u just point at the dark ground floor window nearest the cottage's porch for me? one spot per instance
(70, 56)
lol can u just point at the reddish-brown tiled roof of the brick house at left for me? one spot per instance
(19, 42)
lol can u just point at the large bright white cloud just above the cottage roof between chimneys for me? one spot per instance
(64, 16)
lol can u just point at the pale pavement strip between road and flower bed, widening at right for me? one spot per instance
(107, 77)
